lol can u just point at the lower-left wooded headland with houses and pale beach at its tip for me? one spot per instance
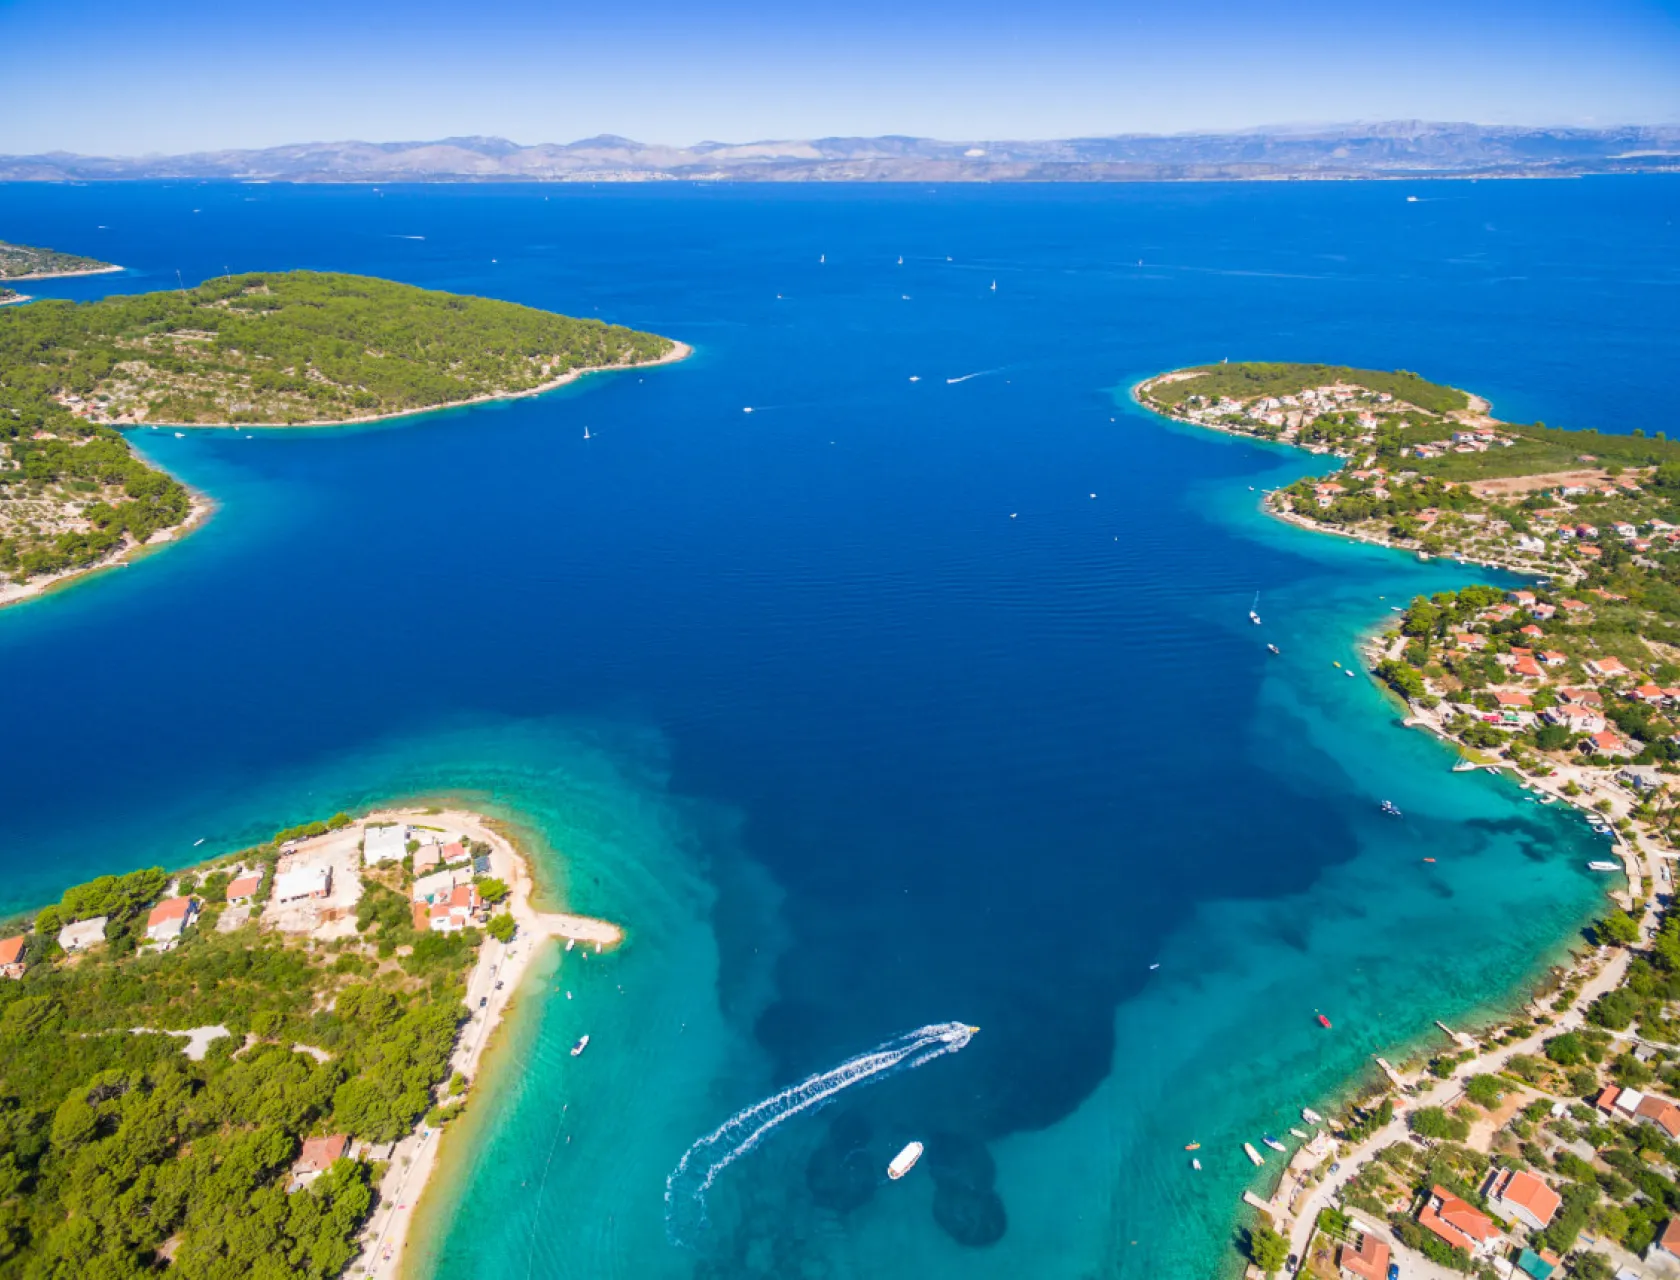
(253, 1062)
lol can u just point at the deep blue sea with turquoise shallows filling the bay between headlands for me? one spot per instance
(921, 693)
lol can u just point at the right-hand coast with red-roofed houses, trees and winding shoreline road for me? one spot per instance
(1541, 1143)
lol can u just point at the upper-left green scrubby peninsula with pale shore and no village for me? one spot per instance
(258, 350)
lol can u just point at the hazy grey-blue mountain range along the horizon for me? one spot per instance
(1389, 150)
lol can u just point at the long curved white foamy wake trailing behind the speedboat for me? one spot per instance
(700, 1167)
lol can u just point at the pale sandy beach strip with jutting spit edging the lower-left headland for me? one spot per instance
(496, 978)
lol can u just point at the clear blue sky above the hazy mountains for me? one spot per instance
(123, 78)
